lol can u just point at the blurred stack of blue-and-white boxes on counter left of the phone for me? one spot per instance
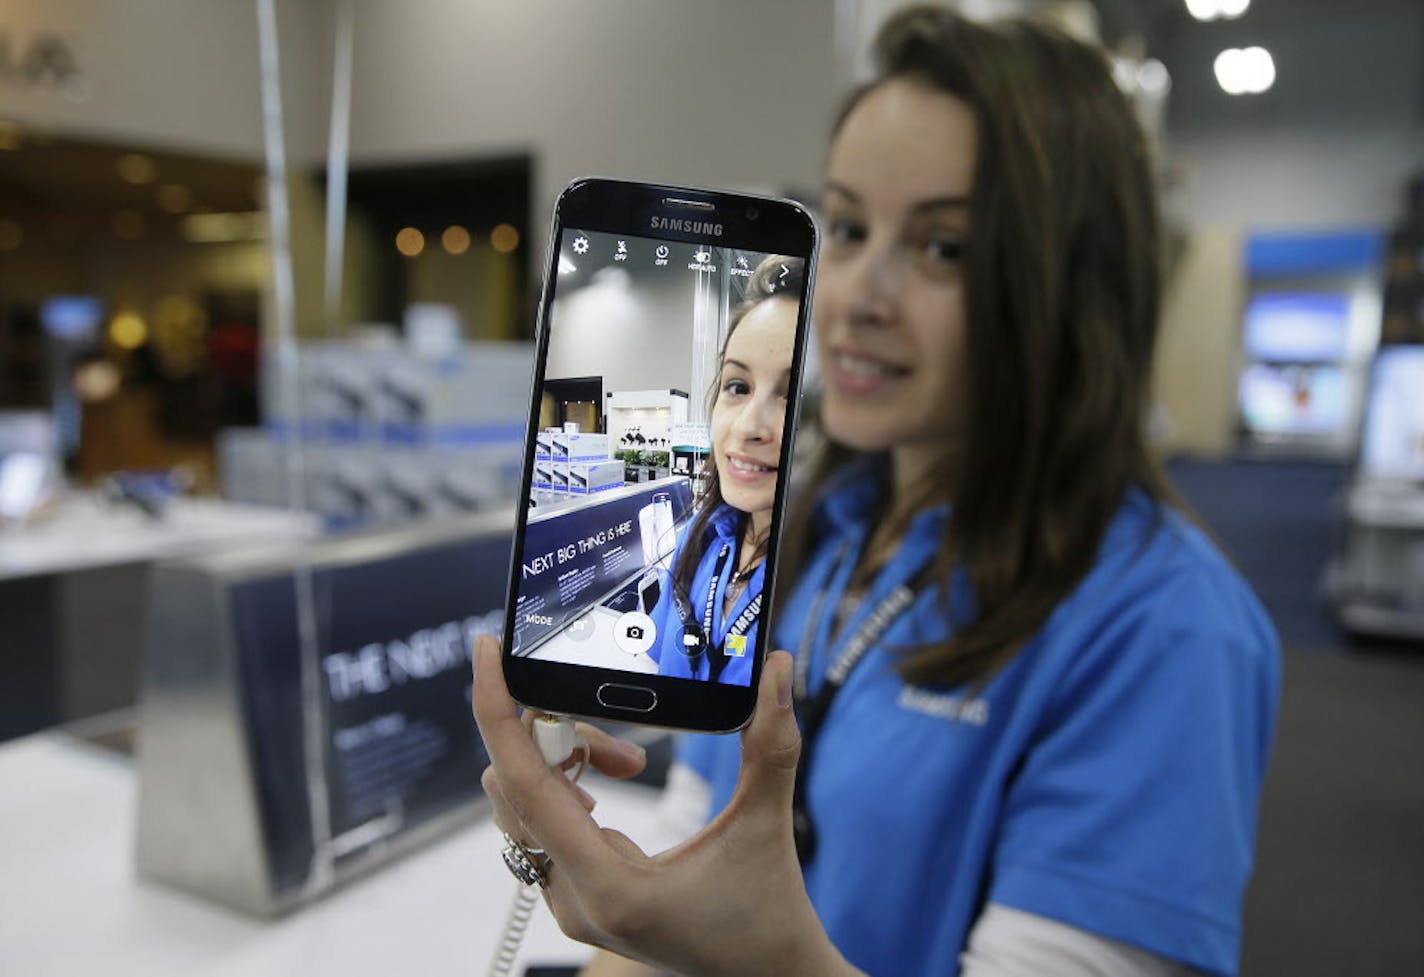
(388, 431)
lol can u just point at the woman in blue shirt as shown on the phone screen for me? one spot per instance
(707, 617)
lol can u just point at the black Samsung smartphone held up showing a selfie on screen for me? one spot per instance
(644, 559)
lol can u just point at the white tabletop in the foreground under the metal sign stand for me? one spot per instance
(72, 905)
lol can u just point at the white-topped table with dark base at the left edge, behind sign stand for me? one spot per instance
(75, 593)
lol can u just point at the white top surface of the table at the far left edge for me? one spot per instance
(86, 533)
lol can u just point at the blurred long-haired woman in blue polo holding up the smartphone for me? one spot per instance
(1049, 757)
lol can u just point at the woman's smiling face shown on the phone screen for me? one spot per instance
(751, 405)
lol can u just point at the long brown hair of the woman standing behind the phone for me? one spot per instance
(1062, 300)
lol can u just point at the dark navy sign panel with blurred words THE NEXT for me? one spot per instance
(394, 640)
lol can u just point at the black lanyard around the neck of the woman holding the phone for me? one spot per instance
(812, 711)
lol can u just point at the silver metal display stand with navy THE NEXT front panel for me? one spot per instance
(237, 804)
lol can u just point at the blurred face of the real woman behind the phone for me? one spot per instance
(891, 310)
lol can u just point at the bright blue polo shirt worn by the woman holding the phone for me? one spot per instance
(1106, 778)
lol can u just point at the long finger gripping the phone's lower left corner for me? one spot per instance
(539, 797)
